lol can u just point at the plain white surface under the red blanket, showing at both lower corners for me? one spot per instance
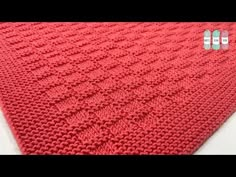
(223, 141)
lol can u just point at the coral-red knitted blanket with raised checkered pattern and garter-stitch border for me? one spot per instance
(114, 88)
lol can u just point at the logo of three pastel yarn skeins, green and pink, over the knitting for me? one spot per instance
(216, 40)
